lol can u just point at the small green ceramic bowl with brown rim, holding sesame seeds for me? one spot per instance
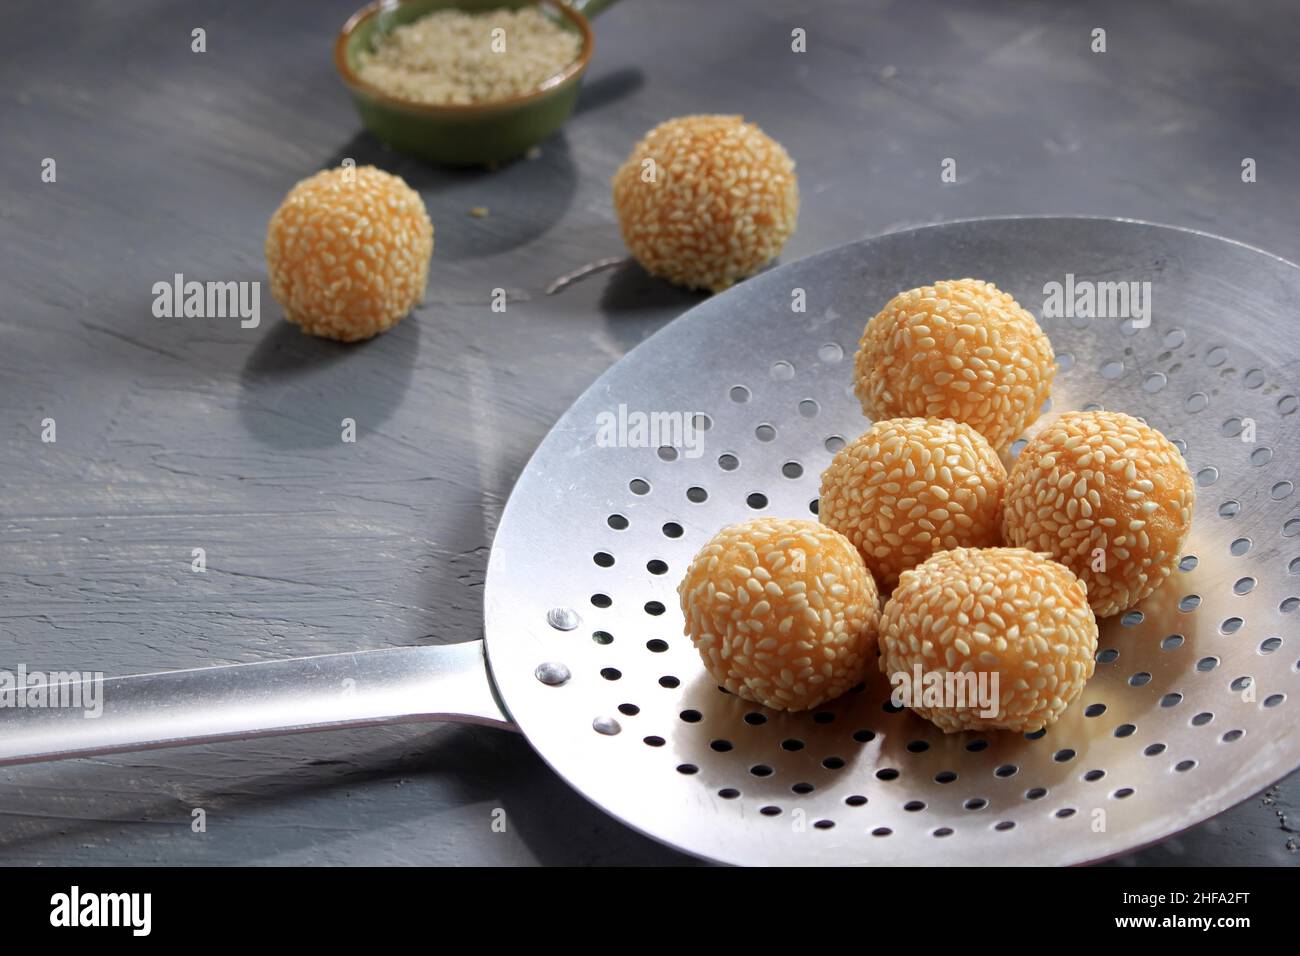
(462, 136)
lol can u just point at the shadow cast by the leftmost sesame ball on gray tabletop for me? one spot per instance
(297, 388)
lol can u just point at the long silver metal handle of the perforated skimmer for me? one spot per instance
(254, 700)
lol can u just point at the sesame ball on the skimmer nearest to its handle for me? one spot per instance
(783, 612)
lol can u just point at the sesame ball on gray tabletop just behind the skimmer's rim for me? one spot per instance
(707, 201)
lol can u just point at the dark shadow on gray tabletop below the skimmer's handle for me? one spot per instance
(452, 781)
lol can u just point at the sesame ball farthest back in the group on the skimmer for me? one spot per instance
(960, 351)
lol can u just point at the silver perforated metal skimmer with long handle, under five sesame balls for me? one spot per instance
(1193, 704)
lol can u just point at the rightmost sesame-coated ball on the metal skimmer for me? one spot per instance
(1110, 498)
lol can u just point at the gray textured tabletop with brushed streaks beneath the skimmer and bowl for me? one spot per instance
(183, 434)
